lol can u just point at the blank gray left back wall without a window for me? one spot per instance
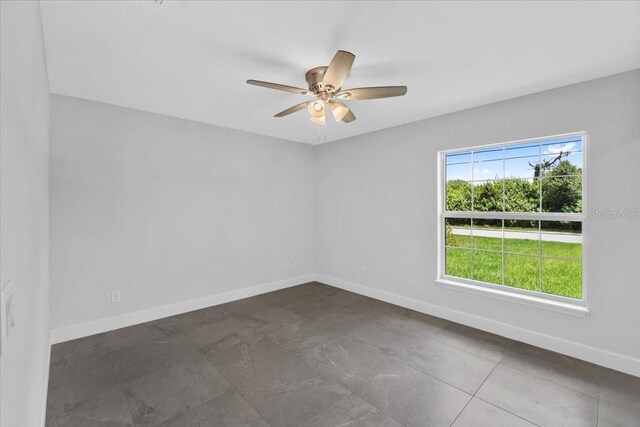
(168, 210)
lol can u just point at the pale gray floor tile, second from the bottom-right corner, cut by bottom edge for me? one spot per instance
(539, 401)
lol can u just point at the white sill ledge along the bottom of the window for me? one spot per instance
(530, 300)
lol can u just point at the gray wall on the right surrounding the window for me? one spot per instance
(376, 197)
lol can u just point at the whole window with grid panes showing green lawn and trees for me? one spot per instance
(511, 218)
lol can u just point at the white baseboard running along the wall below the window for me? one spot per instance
(601, 357)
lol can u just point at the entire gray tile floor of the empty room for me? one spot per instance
(314, 355)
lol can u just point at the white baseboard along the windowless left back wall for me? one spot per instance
(116, 322)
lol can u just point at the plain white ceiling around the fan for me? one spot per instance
(190, 59)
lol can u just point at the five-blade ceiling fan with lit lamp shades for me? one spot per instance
(325, 86)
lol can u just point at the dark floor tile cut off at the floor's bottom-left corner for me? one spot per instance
(105, 409)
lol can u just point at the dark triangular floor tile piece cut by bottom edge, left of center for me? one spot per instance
(227, 410)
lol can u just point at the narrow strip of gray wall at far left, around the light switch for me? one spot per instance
(24, 211)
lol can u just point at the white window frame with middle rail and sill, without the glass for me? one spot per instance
(522, 296)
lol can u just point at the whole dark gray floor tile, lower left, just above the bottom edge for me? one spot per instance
(170, 391)
